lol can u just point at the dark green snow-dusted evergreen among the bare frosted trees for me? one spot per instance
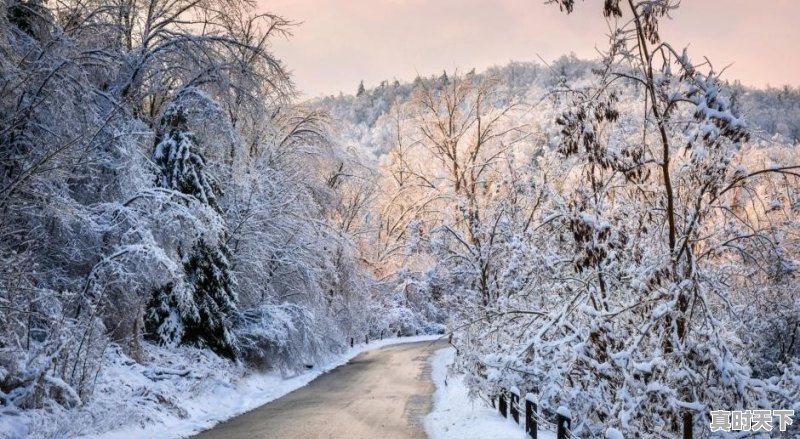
(199, 314)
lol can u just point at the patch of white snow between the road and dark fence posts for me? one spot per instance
(455, 415)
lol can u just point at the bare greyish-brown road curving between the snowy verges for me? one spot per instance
(379, 394)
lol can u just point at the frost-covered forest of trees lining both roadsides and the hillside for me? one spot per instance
(618, 236)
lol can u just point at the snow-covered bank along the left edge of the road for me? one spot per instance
(181, 395)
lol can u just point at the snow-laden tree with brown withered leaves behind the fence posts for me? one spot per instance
(632, 319)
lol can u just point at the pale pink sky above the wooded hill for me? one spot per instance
(341, 42)
